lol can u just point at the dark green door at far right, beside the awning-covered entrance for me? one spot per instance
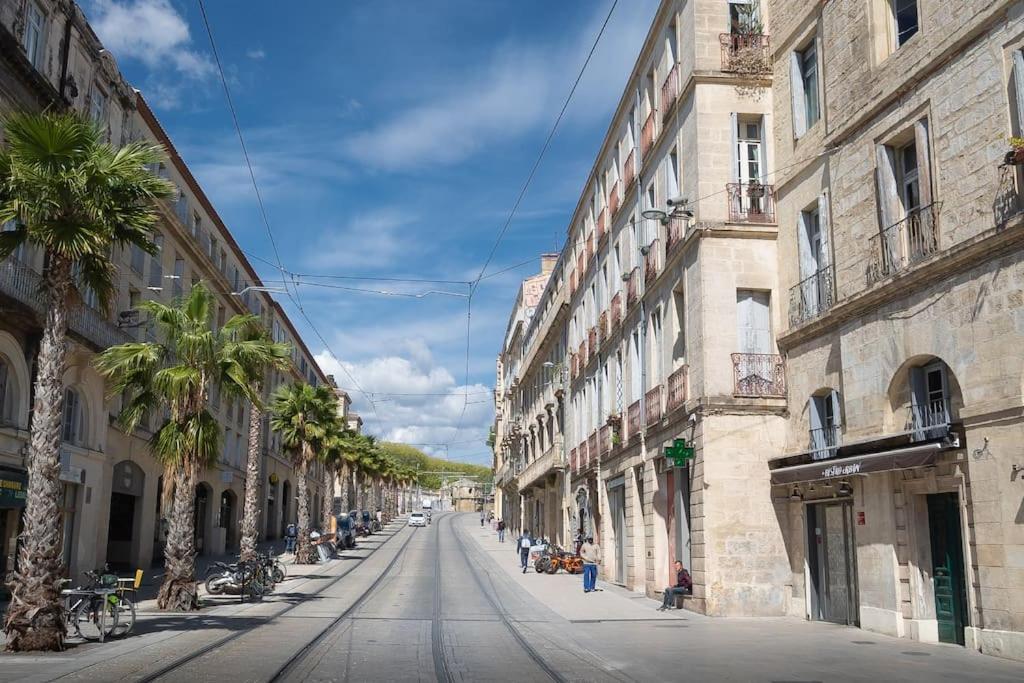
(948, 567)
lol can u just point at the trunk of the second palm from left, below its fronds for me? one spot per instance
(179, 590)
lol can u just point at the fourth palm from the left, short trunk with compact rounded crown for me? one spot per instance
(303, 415)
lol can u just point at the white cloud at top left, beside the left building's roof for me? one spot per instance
(151, 31)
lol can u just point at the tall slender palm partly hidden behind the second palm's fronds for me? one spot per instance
(257, 361)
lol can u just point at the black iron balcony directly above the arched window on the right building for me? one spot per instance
(901, 246)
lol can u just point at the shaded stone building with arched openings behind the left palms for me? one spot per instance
(50, 58)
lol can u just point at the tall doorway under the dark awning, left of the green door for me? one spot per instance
(832, 564)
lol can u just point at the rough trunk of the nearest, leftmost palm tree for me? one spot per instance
(35, 618)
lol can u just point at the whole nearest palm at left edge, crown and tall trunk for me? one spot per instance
(73, 197)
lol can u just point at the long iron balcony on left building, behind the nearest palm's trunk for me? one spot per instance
(21, 283)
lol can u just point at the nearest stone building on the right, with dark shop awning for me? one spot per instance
(898, 484)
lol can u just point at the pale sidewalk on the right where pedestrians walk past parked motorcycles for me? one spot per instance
(564, 594)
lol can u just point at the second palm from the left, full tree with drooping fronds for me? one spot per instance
(175, 377)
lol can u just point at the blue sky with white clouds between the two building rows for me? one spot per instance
(390, 140)
